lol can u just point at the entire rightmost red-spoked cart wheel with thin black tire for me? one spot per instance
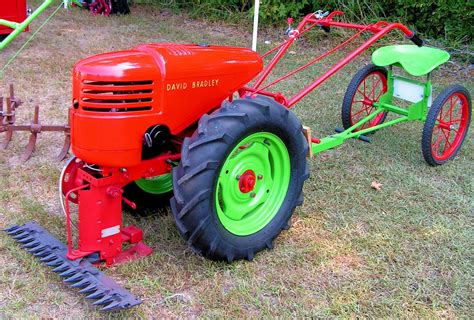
(446, 125)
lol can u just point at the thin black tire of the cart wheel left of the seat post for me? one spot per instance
(347, 104)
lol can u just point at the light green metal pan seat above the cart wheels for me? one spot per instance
(417, 61)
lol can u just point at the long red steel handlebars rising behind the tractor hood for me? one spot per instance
(379, 29)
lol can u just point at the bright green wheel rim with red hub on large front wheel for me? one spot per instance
(252, 183)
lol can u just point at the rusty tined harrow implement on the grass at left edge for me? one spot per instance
(8, 108)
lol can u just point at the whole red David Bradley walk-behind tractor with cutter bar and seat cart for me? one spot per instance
(159, 124)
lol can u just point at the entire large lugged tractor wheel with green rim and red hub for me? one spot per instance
(215, 175)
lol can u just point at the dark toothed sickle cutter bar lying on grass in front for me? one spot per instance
(79, 273)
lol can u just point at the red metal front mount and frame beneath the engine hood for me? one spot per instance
(99, 197)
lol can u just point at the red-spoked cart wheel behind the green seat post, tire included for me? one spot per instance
(367, 86)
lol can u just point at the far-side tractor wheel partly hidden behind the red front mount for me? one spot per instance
(150, 194)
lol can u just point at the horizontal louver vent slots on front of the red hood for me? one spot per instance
(103, 96)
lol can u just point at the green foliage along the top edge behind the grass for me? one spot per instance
(448, 20)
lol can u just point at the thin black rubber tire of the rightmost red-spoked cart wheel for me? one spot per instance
(431, 122)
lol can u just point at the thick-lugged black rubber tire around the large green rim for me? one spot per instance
(203, 155)
